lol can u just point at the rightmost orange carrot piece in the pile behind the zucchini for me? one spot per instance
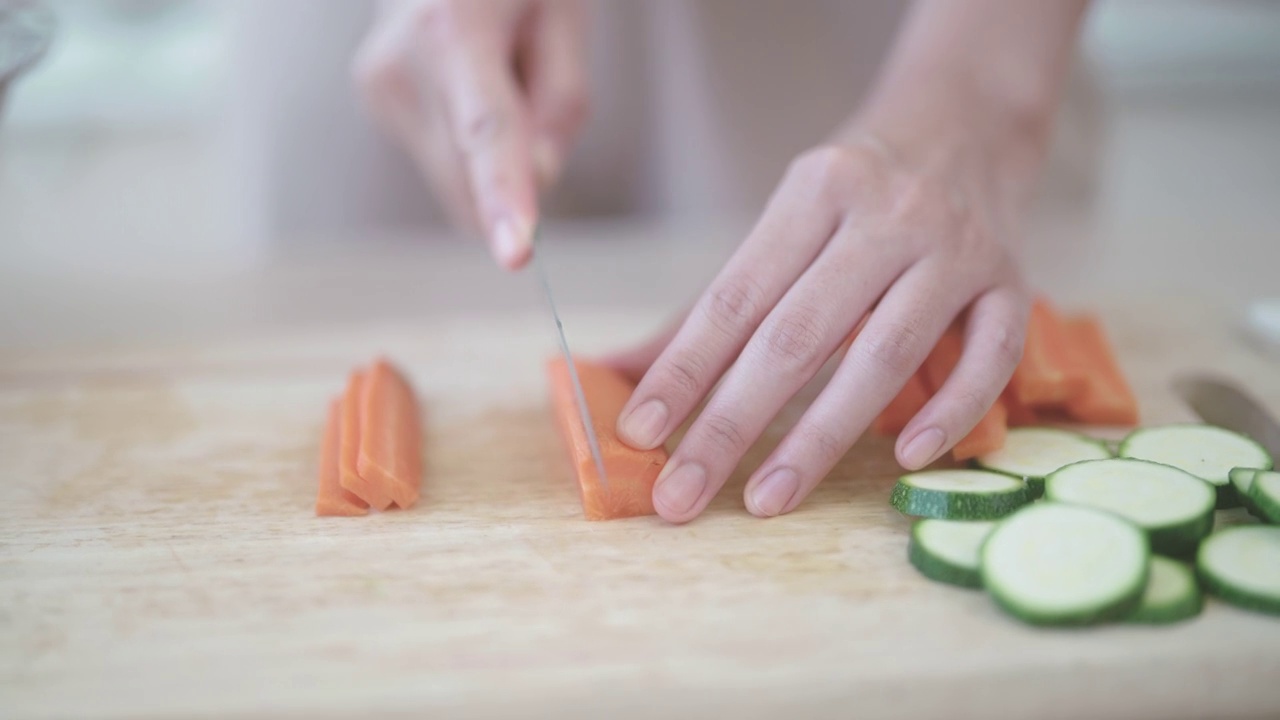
(1108, 399)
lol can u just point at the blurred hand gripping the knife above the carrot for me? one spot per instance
(487, 97)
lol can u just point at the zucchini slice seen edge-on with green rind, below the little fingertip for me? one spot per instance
(958, 495)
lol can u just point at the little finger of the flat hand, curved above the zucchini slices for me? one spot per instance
(993, 348)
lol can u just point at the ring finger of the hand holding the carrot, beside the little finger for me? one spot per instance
(892, 347)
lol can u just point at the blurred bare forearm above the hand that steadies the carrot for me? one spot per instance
(986, 74)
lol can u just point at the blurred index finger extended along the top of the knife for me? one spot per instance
(491, 130)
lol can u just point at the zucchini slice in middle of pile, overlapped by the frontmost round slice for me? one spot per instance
(1174, 508)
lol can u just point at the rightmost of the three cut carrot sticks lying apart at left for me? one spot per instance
(391, 443)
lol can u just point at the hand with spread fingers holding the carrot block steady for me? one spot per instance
(916, 235)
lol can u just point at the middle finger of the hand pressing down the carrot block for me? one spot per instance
(793, 344)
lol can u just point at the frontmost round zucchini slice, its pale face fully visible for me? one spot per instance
(1055, 564)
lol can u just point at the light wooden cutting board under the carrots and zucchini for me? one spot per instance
(159, 555)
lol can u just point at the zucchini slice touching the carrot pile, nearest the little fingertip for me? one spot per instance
(1032, 454)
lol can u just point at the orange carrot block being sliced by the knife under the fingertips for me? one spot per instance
(630, 473)
